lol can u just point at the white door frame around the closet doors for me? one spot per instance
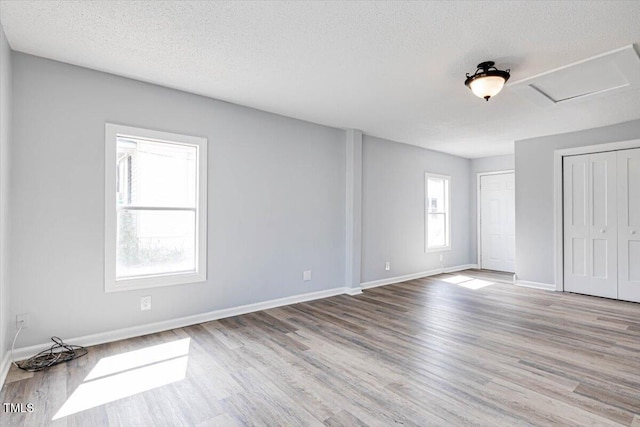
(557, 193)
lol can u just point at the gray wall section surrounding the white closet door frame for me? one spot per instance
(535, 245)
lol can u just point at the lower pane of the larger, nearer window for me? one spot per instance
(155, 242)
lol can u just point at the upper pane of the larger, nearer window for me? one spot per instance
(151, 173)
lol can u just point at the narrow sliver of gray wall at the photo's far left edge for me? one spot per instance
(5, 137)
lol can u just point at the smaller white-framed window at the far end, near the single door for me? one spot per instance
(437, 214)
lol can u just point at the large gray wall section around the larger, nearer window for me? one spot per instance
(276, 200)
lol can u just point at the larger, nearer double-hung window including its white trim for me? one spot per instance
(155, 208)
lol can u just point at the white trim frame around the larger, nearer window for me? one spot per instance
(112, 132)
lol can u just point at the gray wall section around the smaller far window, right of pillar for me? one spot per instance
(393, 208)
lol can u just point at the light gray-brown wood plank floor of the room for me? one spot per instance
(419, 353)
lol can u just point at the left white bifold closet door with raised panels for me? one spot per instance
(590, 224)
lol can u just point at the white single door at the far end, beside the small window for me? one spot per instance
(497, 222)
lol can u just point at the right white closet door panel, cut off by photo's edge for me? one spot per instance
(629, 225)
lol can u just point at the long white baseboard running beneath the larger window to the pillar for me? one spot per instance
(136, 331)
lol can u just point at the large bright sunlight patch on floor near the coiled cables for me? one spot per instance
(126, 374)
